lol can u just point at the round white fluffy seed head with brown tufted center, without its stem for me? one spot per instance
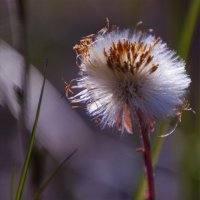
(122, 73)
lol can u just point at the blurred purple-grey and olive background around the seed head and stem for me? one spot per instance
(105, 165)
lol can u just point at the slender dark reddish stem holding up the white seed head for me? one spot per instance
(147, 158)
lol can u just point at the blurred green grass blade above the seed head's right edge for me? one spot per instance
(188, 29)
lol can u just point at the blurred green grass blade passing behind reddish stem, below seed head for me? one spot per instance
(157, 144)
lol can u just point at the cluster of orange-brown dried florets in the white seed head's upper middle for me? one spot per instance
(124, 56)
